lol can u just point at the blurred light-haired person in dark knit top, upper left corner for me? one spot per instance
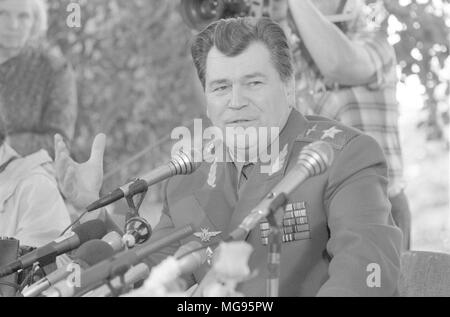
(37, 85)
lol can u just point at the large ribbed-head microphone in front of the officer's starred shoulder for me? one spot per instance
(313, 160)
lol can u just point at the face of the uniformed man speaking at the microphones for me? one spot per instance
(246, 90)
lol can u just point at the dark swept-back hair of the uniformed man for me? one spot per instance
(232, 36)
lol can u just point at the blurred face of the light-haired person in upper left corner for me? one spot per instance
(16, 21)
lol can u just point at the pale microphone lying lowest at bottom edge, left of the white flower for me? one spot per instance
(135, 274)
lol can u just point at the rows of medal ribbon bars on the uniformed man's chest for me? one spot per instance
(295, 224)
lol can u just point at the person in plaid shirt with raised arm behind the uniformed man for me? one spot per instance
(346, 71)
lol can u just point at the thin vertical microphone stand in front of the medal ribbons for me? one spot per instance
(278, 204)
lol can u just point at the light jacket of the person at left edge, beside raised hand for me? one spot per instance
(31, 208)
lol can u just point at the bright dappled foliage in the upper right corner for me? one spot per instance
(422, 42)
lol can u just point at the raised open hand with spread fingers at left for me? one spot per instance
(80, 183)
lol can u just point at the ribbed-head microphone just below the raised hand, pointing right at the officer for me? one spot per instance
(181, 164)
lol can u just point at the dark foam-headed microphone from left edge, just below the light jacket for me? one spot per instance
(94, 229)
